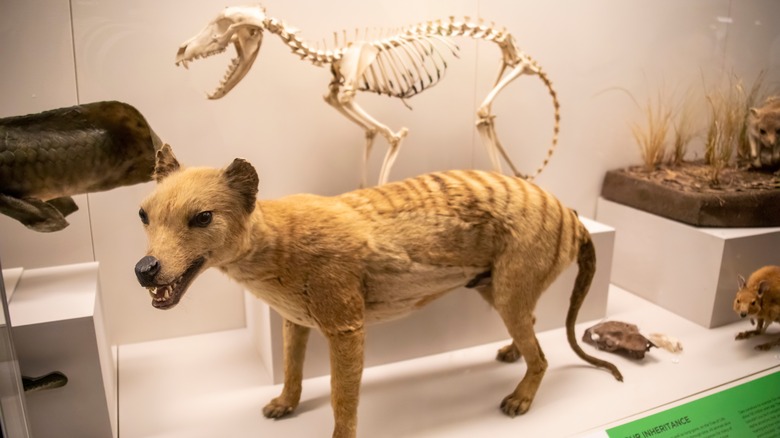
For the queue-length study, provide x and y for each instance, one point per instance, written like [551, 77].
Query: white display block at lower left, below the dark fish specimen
[58, 325]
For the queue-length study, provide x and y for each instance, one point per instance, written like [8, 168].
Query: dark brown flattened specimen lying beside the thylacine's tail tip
[616, 336]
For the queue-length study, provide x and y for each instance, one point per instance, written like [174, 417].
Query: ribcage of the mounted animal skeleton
[407, 64]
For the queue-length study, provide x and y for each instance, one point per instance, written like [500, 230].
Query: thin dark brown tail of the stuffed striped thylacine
[586, 261]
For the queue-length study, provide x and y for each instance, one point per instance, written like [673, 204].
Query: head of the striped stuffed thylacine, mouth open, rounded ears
[195, 219]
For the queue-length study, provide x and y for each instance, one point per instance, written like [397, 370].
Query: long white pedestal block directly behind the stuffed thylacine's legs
[458, 320]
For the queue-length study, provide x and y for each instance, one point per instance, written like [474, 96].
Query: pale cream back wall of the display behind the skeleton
[601, 55]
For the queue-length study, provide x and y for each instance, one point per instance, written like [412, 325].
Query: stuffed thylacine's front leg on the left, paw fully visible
[295, 338]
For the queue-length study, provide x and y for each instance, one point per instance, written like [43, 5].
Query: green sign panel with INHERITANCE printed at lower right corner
[748, 410]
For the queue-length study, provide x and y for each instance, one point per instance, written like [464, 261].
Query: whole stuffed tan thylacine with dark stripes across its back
[337, 263]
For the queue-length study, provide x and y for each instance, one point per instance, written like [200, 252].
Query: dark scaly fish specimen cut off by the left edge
[47, 157]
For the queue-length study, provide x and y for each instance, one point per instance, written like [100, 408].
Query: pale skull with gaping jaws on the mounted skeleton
[242, 26]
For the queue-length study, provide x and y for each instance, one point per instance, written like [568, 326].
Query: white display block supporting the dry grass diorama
[688, 270]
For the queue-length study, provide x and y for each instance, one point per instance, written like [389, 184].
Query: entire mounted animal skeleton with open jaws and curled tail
[400, 66]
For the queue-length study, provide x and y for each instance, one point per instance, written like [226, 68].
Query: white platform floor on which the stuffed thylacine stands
[215, 385]
